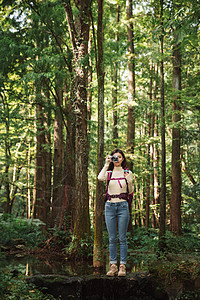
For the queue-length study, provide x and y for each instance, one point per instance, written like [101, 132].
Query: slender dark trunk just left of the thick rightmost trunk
[163, 148]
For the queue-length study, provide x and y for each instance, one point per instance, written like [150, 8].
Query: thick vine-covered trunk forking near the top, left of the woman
[79, 34]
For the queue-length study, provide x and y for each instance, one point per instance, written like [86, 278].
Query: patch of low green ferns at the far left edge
[17, 228]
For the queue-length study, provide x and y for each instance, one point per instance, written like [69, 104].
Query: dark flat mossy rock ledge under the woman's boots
[137, 286]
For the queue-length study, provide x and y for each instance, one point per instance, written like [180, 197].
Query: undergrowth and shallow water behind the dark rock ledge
[30, 253]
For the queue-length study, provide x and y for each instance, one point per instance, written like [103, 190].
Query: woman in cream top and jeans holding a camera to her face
[119, 185]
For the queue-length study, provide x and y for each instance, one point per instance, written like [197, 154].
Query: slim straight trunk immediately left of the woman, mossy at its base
[99, 204]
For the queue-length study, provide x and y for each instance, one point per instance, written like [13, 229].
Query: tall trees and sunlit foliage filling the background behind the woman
[80, 78]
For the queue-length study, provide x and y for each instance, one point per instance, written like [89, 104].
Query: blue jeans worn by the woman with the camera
[113, 212]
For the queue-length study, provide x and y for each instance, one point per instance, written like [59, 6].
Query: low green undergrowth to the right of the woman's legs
[143, 246]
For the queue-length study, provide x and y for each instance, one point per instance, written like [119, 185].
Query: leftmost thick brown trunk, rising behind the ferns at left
[42, 176]
